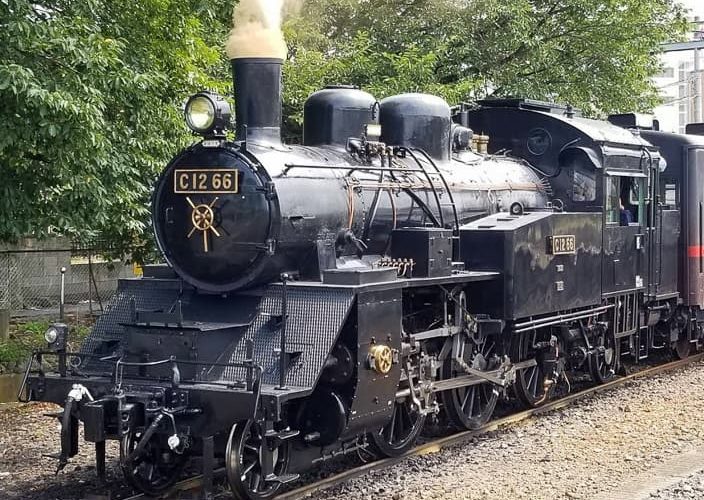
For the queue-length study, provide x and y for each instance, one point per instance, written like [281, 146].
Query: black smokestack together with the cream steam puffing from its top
[257, 49]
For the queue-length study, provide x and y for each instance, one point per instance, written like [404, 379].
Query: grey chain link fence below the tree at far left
[30, 280]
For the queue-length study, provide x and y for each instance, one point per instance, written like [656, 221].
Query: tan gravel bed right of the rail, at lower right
[587, 450]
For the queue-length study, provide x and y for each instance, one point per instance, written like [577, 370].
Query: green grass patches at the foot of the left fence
[26, 337]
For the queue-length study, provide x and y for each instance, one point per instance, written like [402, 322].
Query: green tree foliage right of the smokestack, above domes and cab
[597, 55]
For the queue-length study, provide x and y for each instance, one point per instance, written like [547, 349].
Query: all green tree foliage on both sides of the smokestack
[91, 90]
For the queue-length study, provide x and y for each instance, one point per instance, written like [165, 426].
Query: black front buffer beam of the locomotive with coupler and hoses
[114, 406]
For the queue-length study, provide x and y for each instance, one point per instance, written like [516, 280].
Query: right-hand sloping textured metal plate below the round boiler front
[315, 318]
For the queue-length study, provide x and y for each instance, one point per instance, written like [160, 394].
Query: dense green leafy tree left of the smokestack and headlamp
[90, 93]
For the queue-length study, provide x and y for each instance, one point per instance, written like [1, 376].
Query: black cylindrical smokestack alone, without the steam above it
[258, 98]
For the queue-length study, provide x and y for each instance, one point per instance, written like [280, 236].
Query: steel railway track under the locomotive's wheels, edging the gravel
[194, 483]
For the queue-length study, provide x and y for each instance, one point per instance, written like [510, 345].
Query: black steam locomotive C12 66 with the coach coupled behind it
[327, 298]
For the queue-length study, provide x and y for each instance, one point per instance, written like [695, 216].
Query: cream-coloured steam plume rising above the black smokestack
[257, 30]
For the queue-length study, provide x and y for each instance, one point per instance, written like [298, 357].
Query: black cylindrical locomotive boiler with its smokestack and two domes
[231, 216]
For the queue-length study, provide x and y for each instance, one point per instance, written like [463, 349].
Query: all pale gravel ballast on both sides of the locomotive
[582, 452]
